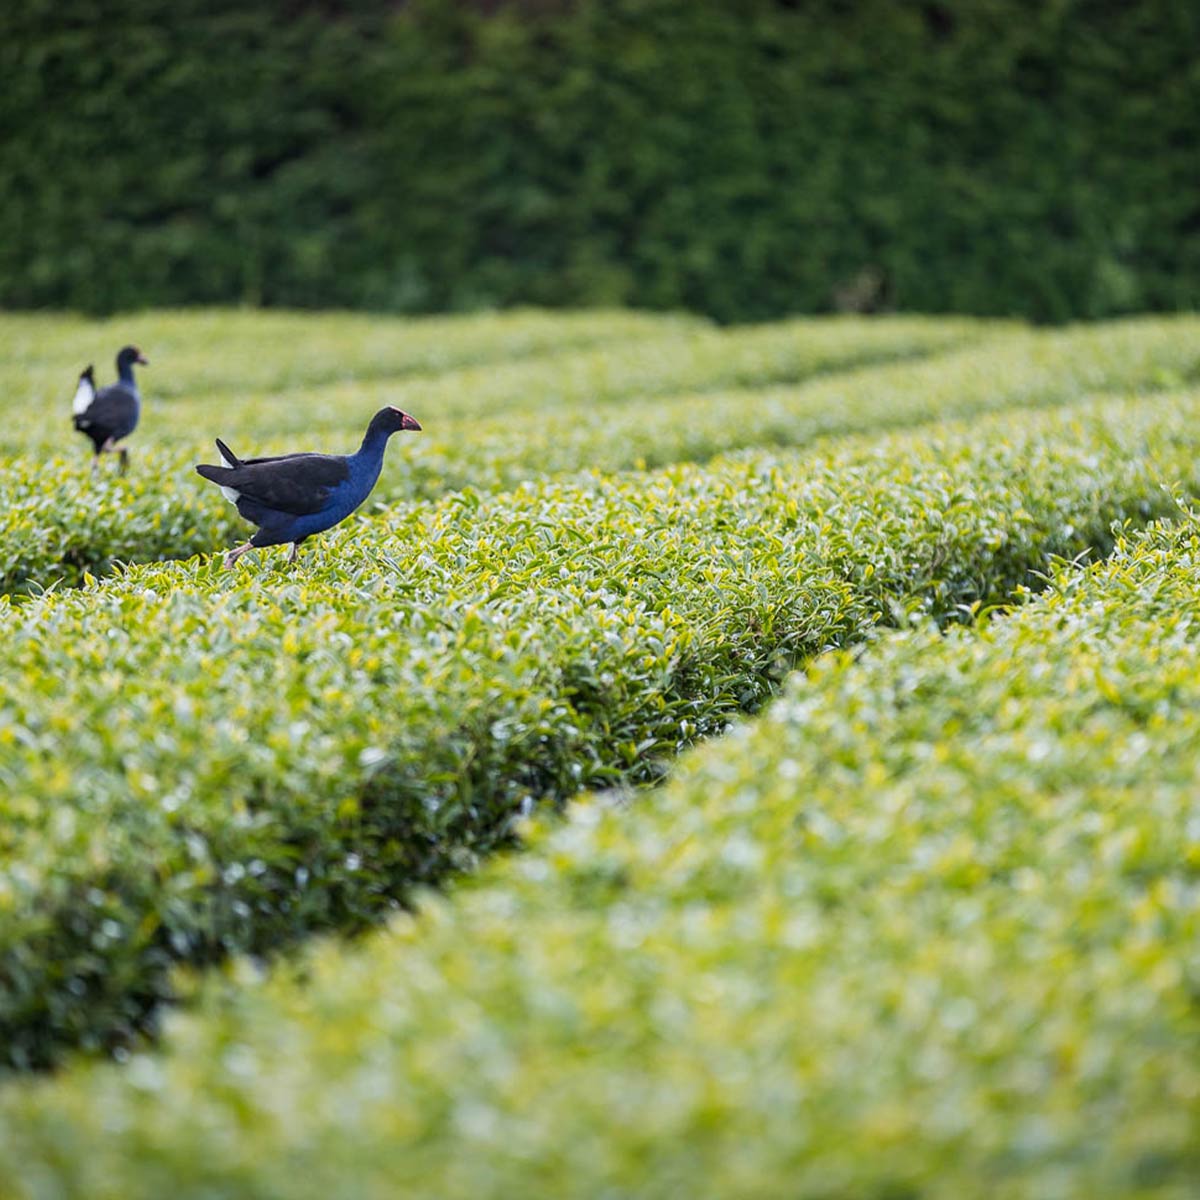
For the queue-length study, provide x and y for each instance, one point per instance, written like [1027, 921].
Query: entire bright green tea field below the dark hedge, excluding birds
[926, 927]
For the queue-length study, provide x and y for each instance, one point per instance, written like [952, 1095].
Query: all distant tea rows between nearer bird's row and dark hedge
[613, 394]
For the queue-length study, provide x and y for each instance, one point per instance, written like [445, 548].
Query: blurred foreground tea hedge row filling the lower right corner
[927, 929]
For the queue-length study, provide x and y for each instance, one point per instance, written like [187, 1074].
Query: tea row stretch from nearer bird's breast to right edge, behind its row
[1013, 370]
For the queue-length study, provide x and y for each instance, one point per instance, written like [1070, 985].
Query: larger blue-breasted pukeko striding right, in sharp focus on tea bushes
[293, 496]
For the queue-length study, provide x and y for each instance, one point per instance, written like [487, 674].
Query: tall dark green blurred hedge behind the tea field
[736, 159]
